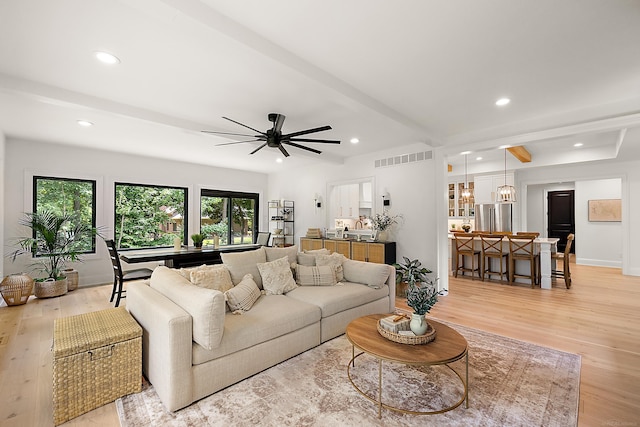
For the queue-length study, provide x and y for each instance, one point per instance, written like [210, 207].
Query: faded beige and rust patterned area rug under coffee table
[511, 383]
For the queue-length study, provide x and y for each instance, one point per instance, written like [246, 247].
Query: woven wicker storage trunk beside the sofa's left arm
[97, 358]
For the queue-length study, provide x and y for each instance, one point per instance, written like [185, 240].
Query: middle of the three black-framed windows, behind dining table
[149, 216]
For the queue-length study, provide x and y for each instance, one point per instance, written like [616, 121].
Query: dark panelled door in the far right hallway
[561, 217]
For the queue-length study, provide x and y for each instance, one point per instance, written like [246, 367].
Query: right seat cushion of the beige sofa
[335, 299]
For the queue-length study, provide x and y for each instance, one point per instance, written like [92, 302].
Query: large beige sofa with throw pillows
[195, 345]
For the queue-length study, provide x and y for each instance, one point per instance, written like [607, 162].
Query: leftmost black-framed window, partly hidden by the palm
[68, 196]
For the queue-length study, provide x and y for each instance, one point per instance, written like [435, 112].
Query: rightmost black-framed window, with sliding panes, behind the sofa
[231, 215]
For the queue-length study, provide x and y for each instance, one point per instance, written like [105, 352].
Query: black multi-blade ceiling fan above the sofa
[275, 139]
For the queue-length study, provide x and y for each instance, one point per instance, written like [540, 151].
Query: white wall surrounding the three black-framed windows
[27, 158]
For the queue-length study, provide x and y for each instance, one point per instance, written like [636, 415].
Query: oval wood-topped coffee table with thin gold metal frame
[448, 347]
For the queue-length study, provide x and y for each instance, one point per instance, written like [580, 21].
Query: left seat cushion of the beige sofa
[270, 317]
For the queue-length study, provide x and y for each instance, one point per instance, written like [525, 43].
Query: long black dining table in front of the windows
[187, 256]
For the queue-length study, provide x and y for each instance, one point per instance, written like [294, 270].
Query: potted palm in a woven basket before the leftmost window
[55, 239]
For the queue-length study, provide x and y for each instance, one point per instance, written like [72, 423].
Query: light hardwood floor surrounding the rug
[598, 318]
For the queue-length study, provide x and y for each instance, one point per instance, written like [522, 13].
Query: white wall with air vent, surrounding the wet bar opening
[412, 190]
